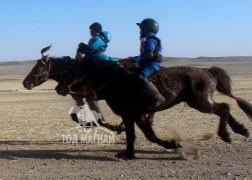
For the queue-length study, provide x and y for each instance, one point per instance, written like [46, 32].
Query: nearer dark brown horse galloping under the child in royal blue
[195, 86]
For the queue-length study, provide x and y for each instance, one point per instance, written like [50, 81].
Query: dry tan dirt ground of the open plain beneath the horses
[34, 124]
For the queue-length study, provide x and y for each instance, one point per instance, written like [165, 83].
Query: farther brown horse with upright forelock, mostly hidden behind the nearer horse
[56, 69]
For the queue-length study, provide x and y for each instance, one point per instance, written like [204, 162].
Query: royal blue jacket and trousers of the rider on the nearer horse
[147, 68]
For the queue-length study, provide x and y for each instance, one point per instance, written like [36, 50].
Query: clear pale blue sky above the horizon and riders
[188, 28]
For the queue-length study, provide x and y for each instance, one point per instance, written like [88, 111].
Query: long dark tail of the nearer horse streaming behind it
[224, 86]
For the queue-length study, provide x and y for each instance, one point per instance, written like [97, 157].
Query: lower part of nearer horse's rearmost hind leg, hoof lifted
[237, 127]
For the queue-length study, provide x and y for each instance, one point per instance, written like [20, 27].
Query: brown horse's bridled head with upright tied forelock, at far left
[46, 68]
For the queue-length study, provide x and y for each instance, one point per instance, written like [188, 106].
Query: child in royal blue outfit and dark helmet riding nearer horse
[149, 60]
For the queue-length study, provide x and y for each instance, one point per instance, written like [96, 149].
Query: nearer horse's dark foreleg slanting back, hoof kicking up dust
[151, 136]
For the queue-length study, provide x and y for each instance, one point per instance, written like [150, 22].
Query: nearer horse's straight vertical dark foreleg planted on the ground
[130, 137]
